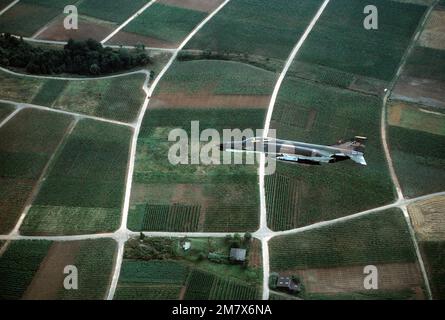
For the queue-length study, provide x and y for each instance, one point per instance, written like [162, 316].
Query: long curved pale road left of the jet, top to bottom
[129, 179]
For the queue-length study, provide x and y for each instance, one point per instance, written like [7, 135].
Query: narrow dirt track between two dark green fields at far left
[36, 189]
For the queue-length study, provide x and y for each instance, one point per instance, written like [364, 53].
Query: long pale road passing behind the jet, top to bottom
[263, 207]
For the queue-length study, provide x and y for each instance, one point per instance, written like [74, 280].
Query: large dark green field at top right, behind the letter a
[345, 44]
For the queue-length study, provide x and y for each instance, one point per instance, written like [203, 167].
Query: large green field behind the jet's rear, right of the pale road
[302, 195]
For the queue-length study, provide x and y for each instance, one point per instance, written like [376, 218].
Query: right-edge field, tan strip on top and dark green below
[417, 147]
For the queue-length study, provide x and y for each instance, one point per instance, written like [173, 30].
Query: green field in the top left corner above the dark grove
[29, 16]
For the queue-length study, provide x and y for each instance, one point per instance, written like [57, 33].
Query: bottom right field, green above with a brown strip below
[330, 260]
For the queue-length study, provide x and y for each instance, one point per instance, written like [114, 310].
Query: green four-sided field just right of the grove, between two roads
[160, 25]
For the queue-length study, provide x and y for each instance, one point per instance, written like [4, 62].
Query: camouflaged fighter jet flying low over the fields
[300, 152]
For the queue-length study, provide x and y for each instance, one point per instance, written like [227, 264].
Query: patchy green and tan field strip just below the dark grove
[117, 98]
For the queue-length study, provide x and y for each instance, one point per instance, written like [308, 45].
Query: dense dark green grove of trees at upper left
[77, 57]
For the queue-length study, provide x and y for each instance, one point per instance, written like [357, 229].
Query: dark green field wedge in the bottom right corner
[434, 256]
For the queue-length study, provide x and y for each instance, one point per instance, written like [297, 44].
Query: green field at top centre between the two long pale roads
[256, 27]
